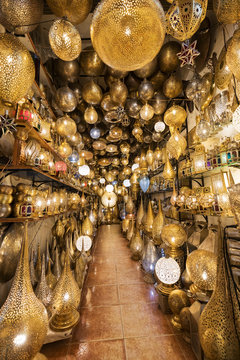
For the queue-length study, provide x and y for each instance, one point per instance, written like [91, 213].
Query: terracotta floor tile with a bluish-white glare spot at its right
[137, 293]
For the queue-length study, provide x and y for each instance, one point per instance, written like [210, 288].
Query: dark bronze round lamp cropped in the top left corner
[16, 14]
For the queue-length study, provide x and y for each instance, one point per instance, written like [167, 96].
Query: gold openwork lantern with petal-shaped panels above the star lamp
[184, 18]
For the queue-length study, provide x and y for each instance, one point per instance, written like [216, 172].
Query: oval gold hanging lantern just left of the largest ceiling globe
[65, 40]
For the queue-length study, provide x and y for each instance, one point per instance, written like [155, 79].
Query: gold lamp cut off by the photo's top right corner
[227, 11]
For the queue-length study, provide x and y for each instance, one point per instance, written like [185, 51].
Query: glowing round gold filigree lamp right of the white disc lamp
[202, 268]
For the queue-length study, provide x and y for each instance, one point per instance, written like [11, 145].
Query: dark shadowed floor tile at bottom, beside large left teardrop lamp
[57, 350]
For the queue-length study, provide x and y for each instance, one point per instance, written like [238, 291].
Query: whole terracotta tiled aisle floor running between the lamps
[120, 318]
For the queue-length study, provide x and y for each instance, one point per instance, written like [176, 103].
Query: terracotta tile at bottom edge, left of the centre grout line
[98, 350]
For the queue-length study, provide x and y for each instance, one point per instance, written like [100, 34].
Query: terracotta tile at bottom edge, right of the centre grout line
[153, 348]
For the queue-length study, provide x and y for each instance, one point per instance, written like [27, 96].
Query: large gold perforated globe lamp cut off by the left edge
[17, 70]
